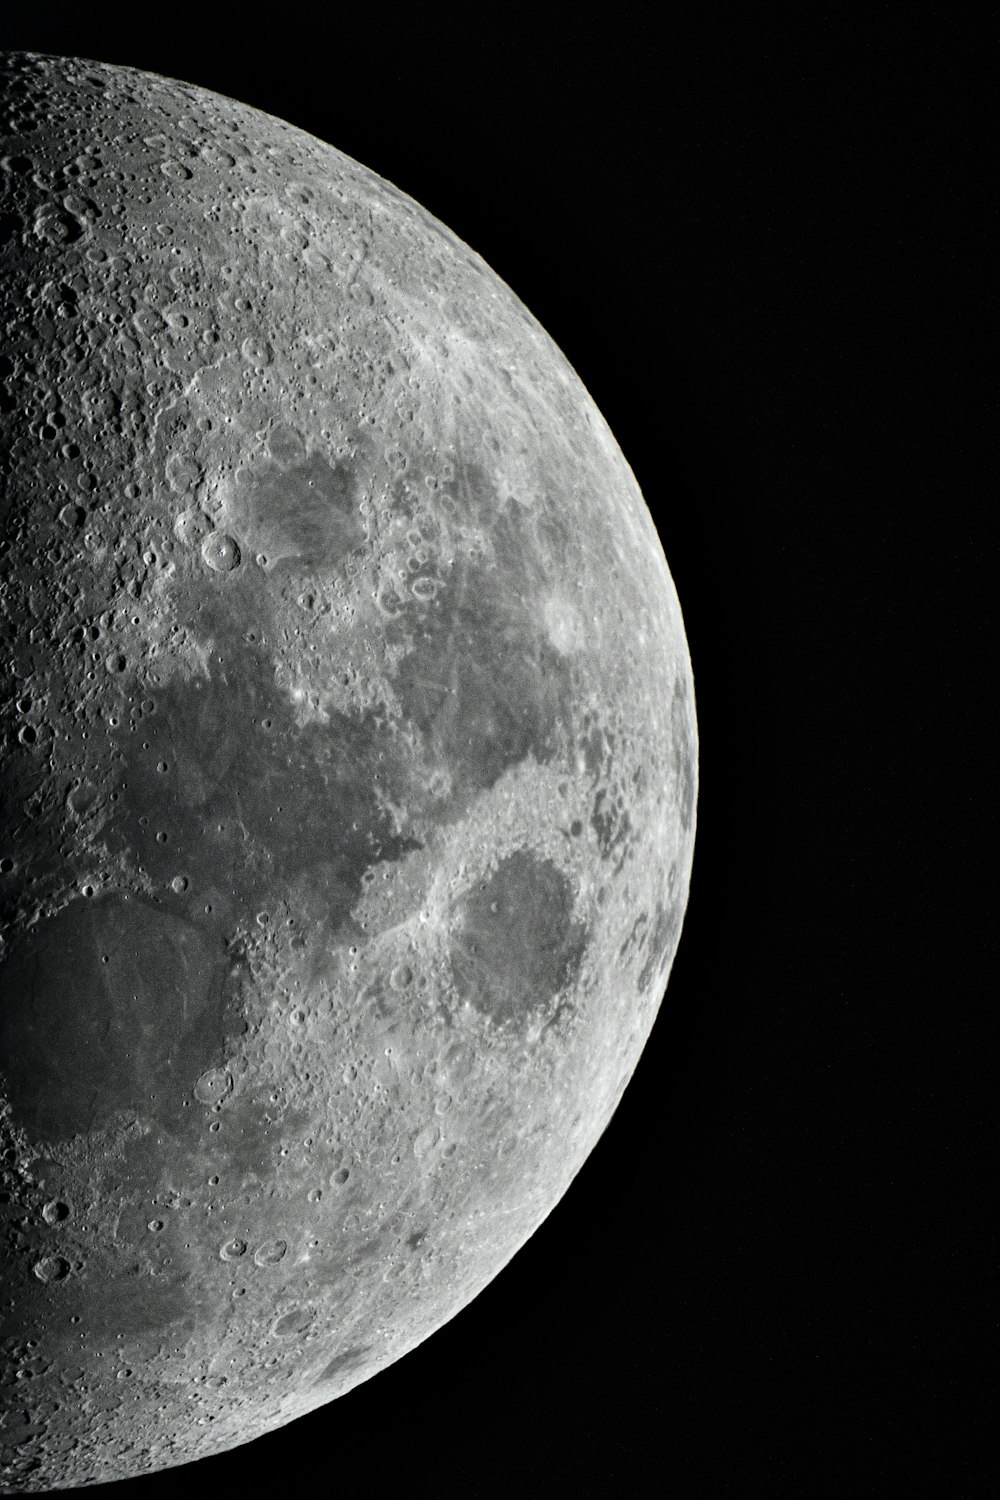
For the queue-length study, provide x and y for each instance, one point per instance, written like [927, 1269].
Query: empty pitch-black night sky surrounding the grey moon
[744, 236]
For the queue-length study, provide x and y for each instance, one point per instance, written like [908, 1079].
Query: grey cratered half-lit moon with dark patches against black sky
[349, 773]
